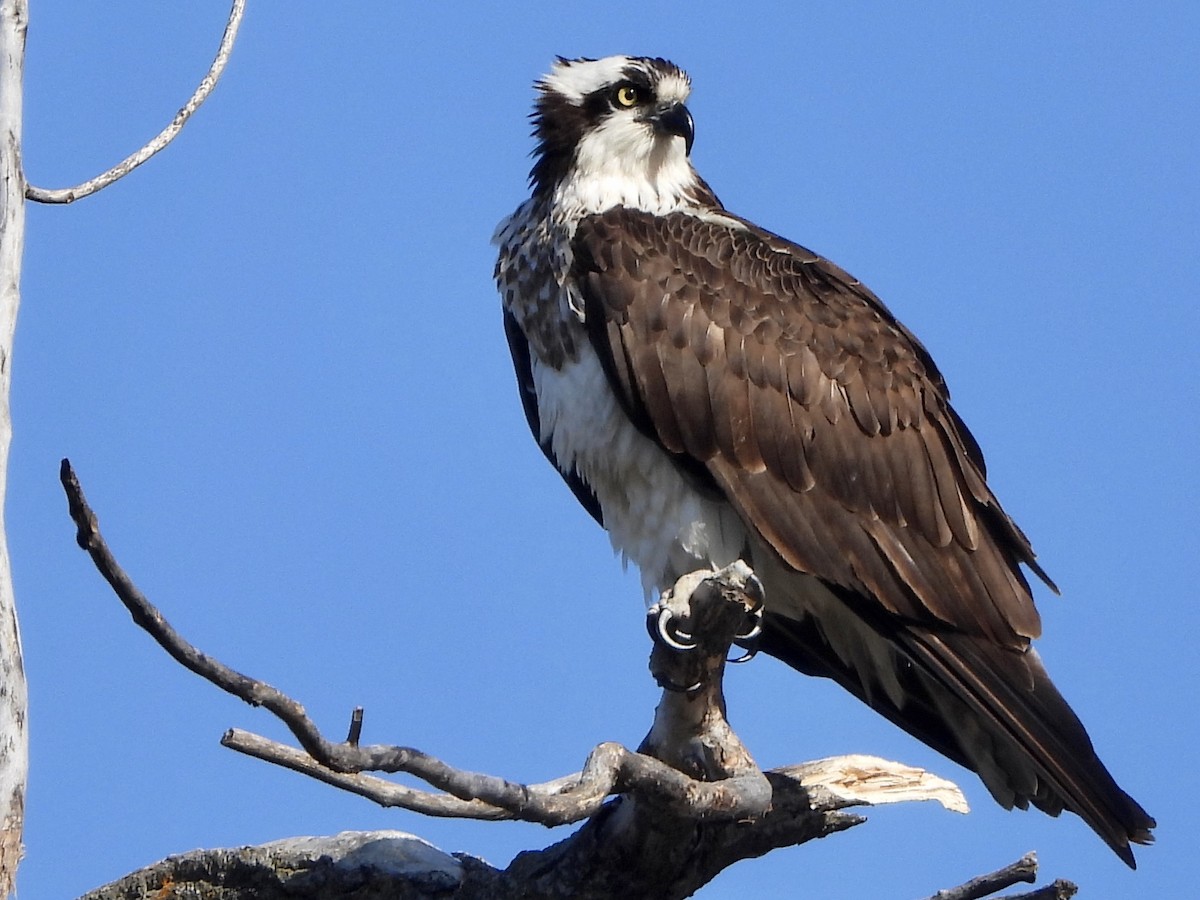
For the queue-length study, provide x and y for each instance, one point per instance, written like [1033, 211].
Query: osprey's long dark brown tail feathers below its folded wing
[989, 709]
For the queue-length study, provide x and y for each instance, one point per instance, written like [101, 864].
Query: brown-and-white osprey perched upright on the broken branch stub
[715, 393]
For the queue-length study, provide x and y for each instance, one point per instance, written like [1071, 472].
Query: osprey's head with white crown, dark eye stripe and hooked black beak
[620, 118]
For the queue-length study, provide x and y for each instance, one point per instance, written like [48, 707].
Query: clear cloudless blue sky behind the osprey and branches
[275, 358]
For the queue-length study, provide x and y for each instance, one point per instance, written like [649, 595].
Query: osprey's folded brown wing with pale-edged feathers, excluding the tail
[820, 417]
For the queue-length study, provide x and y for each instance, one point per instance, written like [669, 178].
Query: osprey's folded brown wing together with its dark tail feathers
[829, 428]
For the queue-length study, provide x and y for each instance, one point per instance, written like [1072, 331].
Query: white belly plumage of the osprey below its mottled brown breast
[653, 515]
